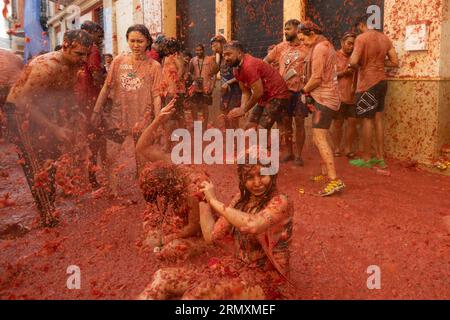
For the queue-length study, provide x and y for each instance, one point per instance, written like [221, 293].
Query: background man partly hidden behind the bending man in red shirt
[231, 93]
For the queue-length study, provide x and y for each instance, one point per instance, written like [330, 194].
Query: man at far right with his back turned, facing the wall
[371, 49]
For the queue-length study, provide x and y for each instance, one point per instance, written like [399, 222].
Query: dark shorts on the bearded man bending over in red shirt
[267, 115]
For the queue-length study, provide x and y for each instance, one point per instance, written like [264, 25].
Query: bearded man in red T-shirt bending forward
[263, 88]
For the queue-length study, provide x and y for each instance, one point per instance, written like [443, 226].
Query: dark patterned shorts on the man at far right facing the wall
[370, 102]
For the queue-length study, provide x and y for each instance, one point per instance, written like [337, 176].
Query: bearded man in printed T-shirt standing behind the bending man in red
[290, 56]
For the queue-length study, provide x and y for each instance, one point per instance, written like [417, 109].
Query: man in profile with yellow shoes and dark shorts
[322, 86]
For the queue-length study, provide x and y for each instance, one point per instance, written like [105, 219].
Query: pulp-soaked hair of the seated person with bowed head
[165, 182]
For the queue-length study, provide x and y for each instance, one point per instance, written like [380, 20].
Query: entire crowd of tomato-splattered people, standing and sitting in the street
[76, 101]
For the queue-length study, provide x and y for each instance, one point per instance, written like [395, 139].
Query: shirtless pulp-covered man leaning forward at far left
[40, 111]
